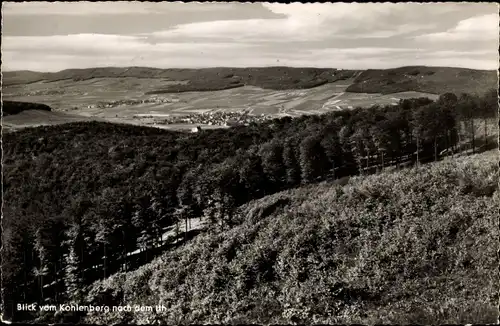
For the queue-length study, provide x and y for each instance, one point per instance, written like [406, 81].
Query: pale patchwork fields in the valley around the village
[125, 100]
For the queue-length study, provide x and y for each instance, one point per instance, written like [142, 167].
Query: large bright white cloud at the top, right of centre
[312, 22]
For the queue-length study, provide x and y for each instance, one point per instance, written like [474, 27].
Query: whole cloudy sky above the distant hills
[45, 36]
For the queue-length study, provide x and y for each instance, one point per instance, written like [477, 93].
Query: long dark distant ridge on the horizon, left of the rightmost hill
[206, 79]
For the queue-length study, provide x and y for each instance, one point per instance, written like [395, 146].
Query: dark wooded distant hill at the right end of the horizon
[436, 80]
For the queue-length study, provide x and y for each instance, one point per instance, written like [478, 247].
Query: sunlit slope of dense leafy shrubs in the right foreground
[328, 253]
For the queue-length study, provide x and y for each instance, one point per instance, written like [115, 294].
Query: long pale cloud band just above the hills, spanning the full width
[80, 51]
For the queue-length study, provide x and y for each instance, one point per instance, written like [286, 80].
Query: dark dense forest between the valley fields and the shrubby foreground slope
[79, 197]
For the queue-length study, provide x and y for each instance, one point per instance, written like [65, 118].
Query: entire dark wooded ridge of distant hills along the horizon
[435, 80]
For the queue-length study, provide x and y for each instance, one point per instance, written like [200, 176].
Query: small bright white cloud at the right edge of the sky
[483, 27]
